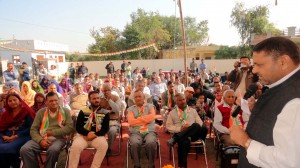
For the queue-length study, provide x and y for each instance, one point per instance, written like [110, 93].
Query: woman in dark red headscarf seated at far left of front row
[15, 126]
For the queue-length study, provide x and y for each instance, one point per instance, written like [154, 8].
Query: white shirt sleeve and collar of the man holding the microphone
[286, 150]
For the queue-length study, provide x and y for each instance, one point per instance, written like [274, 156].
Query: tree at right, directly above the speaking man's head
[254, 20]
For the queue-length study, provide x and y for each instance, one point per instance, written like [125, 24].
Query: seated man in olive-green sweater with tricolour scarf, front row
[50, 127]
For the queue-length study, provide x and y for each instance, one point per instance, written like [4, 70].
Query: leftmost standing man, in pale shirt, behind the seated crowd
[11, 76]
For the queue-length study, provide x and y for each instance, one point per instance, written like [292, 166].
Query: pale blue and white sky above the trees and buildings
[69, 21]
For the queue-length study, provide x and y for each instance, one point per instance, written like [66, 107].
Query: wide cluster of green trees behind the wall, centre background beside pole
[146, 28]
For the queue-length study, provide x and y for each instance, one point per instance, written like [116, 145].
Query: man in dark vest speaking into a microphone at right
[271, 138]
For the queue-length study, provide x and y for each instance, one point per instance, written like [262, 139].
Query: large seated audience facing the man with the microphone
[46, 113]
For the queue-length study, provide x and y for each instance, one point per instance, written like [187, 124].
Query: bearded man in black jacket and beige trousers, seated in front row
[92, 125]
